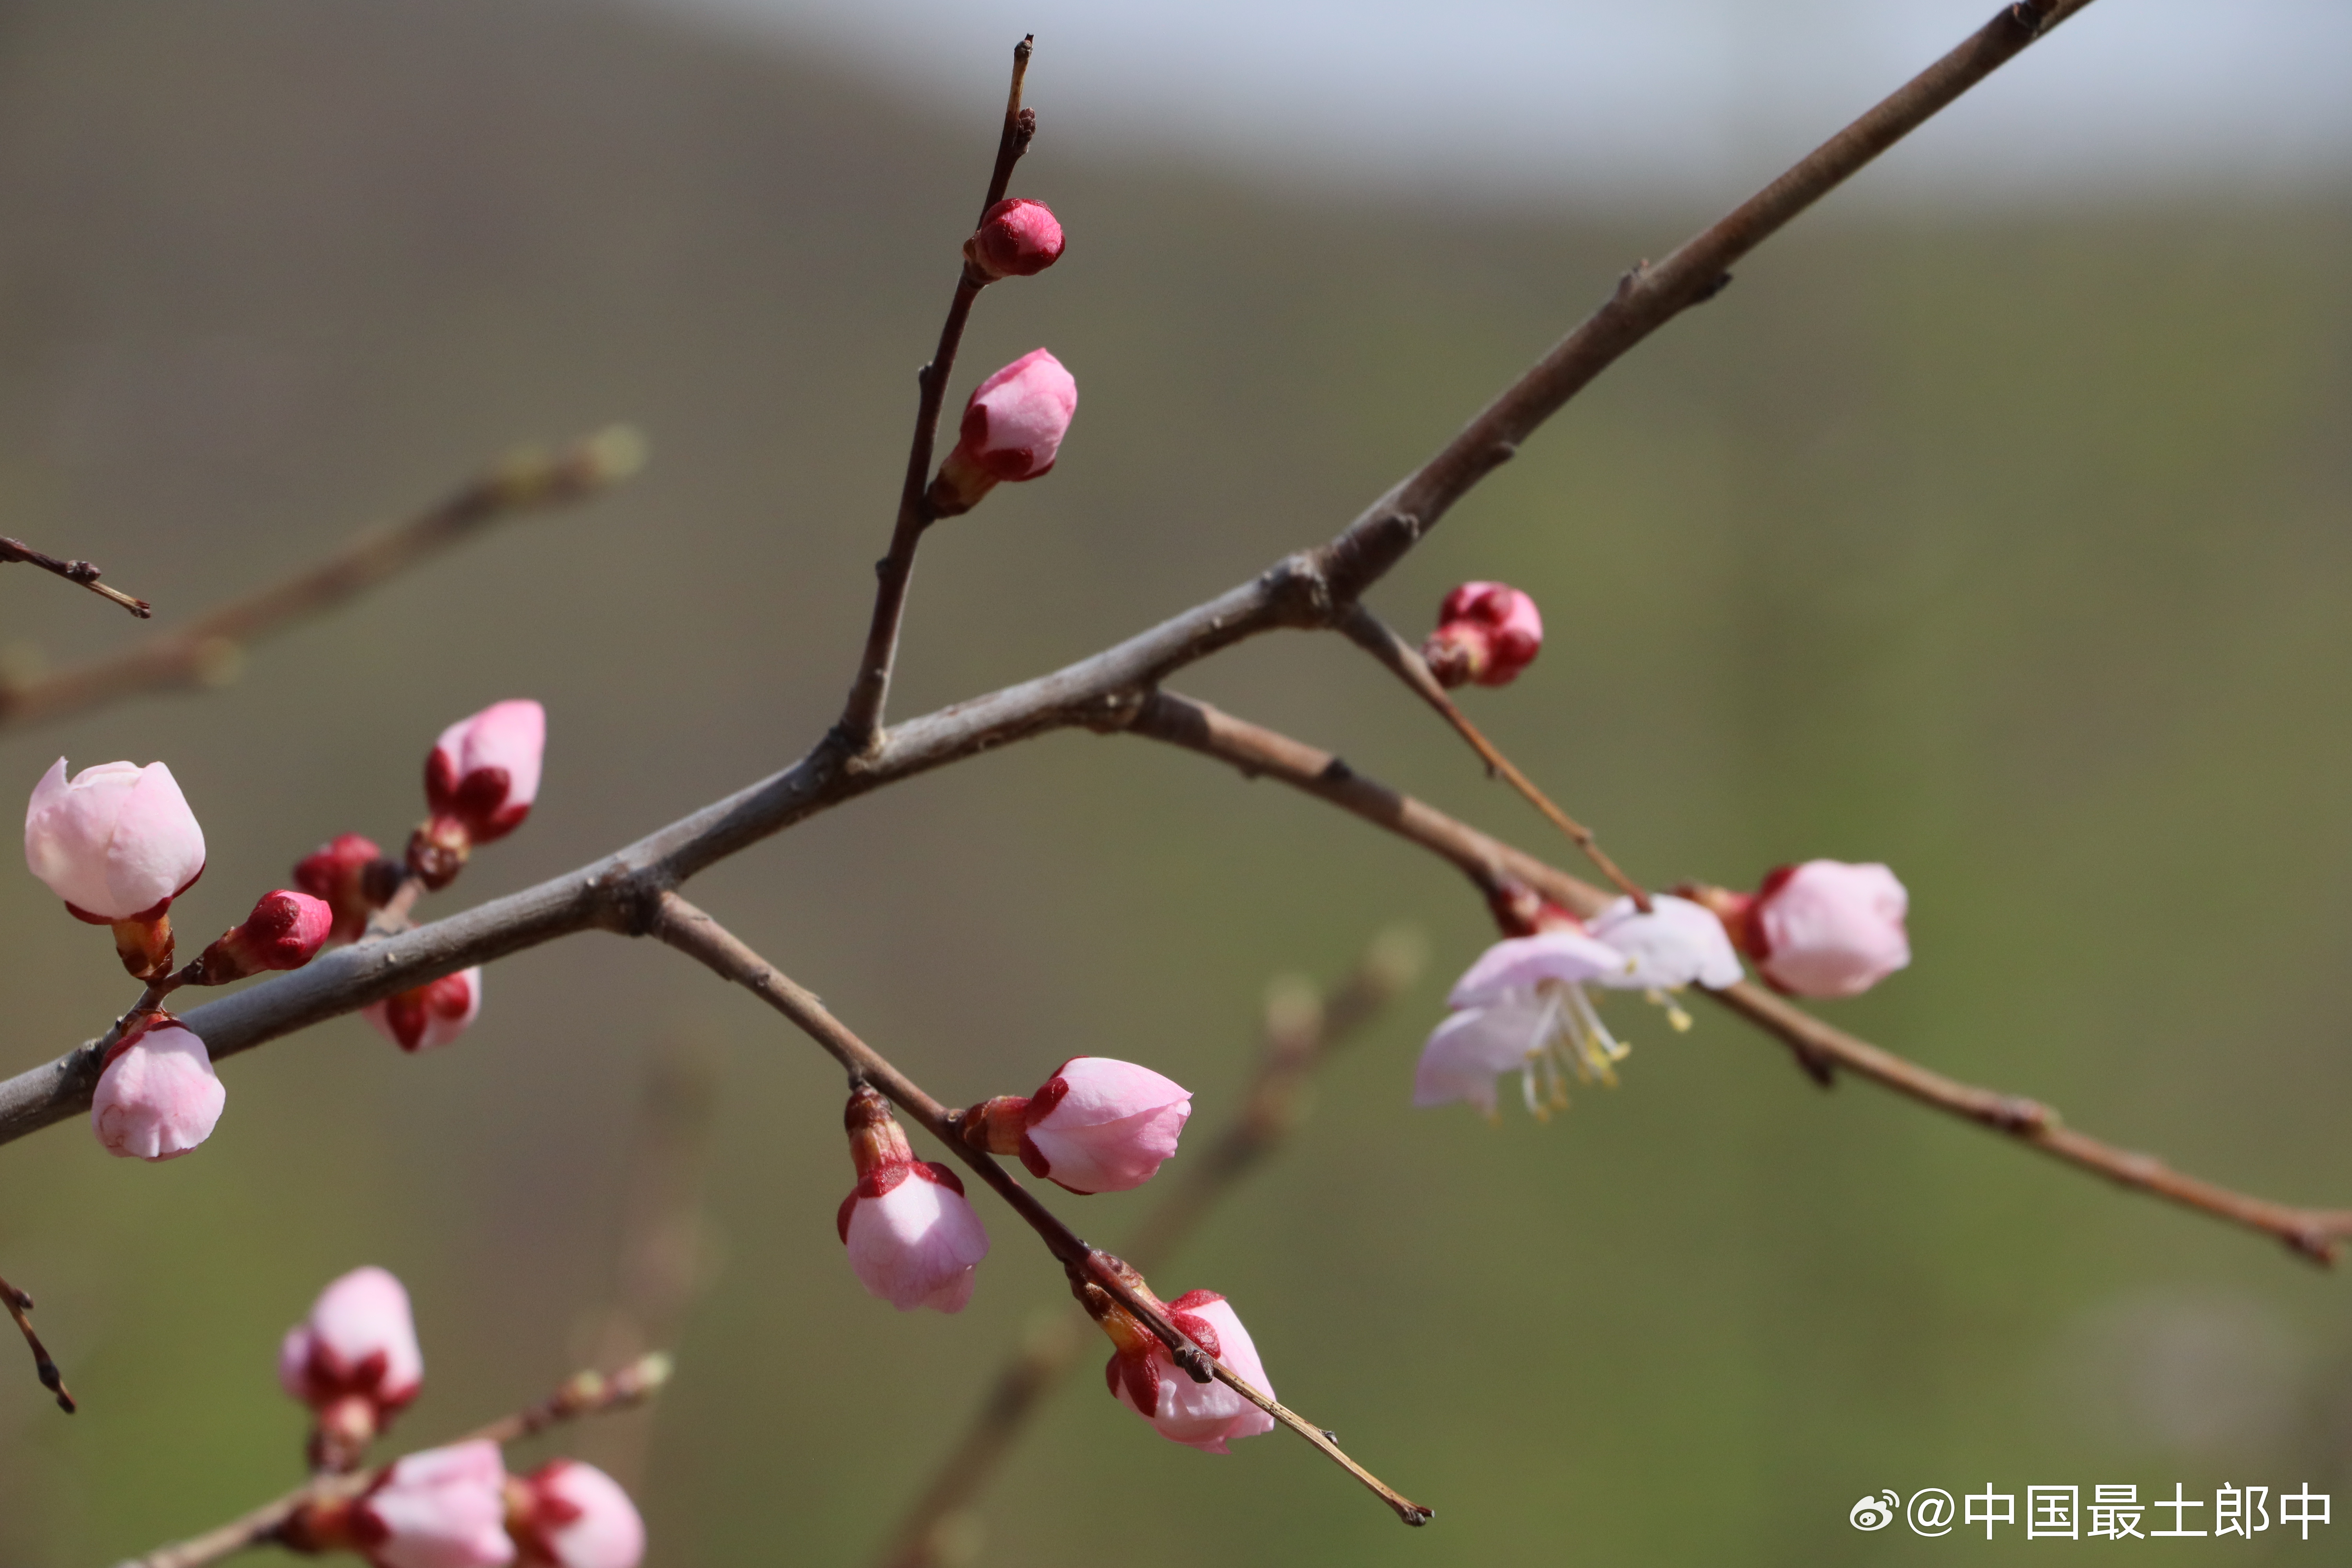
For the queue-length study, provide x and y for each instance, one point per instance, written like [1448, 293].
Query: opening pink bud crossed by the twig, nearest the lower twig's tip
[1144, 1376]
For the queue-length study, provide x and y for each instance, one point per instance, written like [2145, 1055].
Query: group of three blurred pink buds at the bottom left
[354, 1360]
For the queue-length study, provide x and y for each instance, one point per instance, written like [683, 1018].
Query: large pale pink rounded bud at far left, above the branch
[116, 843]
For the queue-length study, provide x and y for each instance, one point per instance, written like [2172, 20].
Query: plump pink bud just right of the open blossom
[1824, 930]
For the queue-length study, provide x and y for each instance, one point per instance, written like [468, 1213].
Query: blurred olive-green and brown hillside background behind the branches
[2005, 549]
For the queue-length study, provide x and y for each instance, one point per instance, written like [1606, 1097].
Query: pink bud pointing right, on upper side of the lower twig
[1095, 1127]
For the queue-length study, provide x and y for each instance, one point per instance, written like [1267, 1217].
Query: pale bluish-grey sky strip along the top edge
[1598, 98]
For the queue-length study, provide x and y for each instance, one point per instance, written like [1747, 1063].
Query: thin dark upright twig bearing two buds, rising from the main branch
[862, 716]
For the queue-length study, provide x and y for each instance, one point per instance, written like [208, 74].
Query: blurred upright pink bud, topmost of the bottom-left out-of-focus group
[354, 1362]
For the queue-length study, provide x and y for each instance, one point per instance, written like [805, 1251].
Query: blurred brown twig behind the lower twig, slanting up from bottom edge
[1302, 1031]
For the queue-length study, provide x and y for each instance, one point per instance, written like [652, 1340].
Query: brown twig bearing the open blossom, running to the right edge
[1497, 866]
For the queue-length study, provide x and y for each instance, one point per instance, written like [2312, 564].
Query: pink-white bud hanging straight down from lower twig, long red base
[909, 1228]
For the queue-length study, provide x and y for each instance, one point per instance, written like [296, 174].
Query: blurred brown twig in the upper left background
[213, 648]
